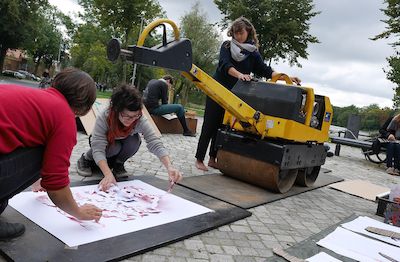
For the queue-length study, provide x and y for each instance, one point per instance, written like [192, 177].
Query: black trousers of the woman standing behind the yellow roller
[213, 116]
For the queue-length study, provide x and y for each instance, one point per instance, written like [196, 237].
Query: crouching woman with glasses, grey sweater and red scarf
[115, 138]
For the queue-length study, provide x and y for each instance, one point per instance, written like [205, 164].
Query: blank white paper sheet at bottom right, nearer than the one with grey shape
[358, 247]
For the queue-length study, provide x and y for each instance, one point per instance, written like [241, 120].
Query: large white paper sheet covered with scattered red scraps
[134, 207]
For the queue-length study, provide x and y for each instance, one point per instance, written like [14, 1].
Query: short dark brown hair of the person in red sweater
[77, 87]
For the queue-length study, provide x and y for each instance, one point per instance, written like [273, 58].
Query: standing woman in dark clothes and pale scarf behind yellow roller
[238, 58]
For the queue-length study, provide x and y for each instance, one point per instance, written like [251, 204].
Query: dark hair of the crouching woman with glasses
[126, 96]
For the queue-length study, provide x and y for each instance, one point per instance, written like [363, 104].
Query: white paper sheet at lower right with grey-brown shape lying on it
[359, 224]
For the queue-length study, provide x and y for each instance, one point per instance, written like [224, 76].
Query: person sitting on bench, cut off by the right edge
[393, 147]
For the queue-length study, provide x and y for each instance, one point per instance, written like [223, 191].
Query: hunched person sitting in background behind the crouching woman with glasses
[158, 89]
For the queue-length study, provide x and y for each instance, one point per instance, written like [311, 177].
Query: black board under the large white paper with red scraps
[38, 245]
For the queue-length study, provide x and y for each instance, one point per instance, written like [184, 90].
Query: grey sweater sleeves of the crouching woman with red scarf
[99, 137]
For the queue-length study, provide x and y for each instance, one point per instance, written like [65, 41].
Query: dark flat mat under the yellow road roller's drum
[244, 195]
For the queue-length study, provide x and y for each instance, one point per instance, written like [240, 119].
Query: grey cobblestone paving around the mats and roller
[282, 223]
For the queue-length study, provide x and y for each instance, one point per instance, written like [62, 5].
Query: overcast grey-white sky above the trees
[346, 65]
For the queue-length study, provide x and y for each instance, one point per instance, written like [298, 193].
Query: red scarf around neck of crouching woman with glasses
[116, 128]
